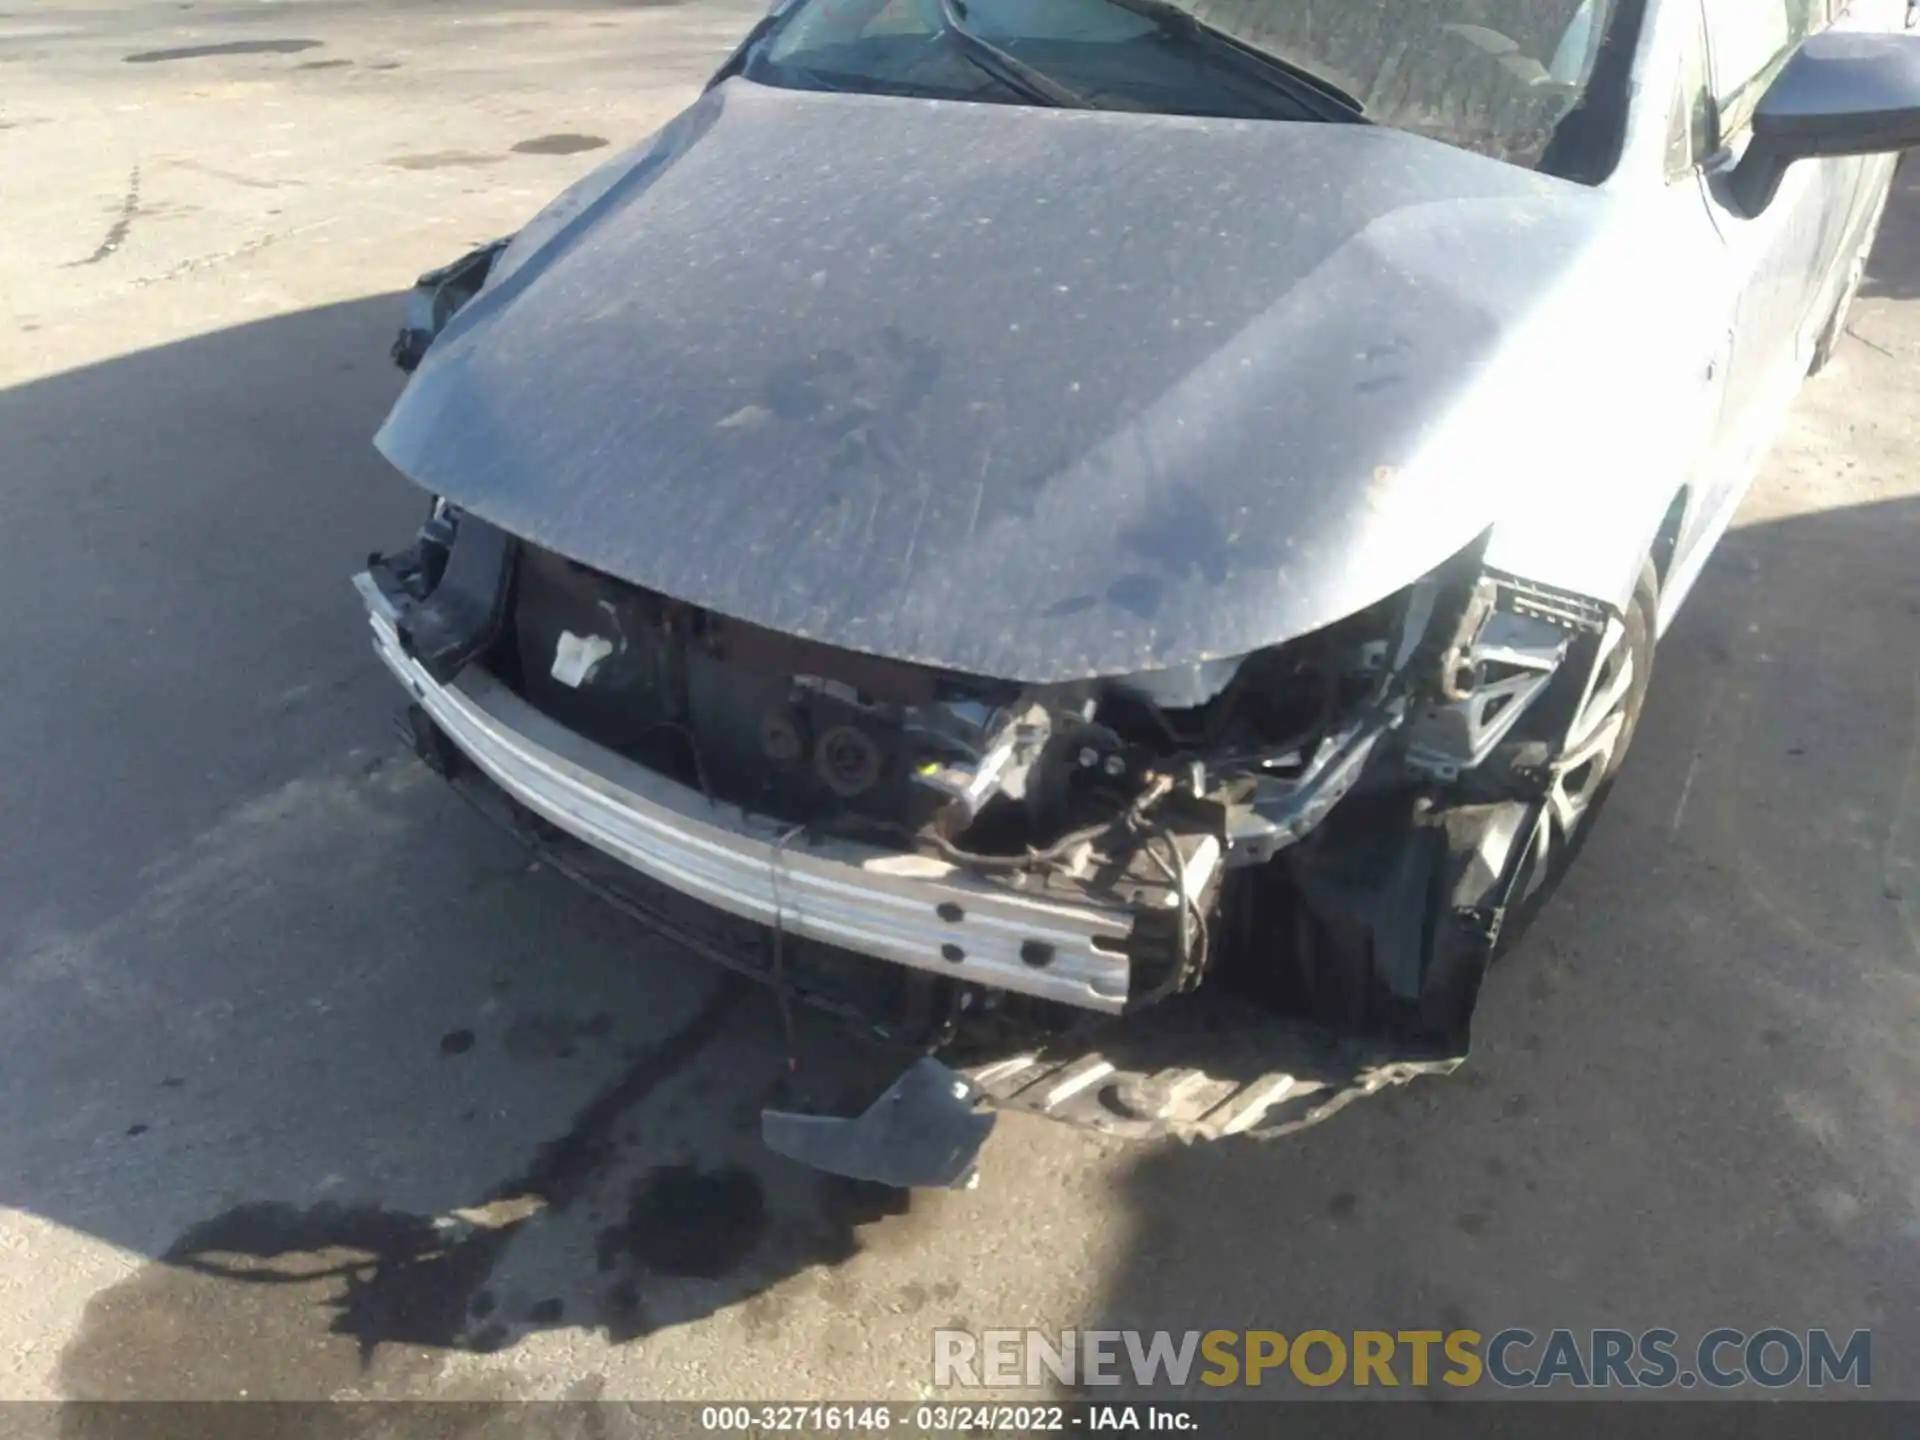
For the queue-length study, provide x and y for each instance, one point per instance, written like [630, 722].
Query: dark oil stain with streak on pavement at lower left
[281, 1301]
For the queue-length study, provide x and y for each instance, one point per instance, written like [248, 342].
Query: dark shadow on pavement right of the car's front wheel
[1691, 1093]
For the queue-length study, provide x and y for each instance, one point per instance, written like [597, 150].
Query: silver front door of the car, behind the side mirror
[1781, 264]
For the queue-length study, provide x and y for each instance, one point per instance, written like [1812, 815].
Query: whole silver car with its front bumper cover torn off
[1120, 544]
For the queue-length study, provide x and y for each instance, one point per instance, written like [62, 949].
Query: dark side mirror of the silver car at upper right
[1844, 93]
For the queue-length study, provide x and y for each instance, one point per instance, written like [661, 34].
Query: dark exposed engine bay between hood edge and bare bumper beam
[1197, 802]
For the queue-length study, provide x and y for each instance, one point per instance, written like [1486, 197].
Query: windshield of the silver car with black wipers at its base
[1537, 84]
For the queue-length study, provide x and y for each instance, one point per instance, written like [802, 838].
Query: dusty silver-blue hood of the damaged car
[1020, 393]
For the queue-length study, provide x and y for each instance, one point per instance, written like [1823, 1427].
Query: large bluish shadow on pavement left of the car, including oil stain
[289, 1017]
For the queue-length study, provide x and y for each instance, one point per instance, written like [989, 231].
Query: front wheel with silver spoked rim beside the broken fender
[1606, 711]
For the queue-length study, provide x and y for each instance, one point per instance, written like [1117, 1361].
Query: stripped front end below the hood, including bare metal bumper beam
[1310, 852]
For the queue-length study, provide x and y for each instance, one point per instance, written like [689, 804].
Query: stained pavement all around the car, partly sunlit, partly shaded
[314, 1088]
